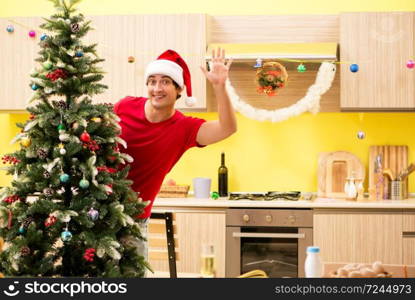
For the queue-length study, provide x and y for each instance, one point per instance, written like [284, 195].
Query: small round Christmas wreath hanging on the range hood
[271, 77]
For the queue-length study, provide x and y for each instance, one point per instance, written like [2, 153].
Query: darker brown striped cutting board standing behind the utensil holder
[394, 158]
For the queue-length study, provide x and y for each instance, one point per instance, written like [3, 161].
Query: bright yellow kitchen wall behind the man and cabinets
[260, 156]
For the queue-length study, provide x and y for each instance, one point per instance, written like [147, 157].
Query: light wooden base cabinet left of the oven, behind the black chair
[194, 229]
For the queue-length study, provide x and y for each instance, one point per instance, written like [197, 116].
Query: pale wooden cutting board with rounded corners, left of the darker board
[333, 169]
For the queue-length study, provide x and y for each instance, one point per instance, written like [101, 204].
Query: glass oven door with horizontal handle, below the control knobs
[278, 251]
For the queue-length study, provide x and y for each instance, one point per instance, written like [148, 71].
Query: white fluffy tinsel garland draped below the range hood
[310, 102]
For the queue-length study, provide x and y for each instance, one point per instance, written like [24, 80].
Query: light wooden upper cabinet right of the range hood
[380, 44]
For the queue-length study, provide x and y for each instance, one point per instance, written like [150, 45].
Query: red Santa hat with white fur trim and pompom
[171, 64]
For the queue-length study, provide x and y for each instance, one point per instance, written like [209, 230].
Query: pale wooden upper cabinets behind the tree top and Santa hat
[144, 37]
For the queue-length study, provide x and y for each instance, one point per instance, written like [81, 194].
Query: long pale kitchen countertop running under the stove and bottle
[222, 203]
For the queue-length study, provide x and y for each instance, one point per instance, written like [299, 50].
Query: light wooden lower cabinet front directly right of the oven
[358, 236]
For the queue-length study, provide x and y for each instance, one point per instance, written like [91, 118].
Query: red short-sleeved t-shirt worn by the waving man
[155, 147]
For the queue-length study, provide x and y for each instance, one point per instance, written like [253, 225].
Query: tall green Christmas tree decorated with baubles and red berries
[70, 210]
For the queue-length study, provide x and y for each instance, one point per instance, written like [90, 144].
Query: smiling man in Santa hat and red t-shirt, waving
[157, 135]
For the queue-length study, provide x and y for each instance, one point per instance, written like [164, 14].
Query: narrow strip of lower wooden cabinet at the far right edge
[408, 237]
